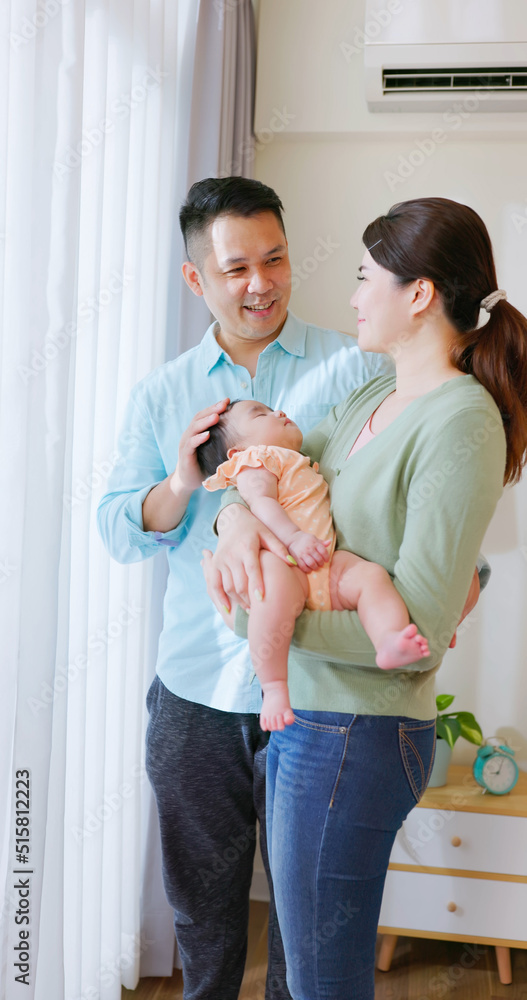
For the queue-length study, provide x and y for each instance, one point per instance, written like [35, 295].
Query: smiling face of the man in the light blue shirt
[246, 276]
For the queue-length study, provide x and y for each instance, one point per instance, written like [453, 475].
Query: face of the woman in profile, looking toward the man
[384, 308]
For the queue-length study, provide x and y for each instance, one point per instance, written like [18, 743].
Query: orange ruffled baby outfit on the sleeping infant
[302, 492]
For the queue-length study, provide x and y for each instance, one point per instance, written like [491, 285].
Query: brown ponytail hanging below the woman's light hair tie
[496, 354]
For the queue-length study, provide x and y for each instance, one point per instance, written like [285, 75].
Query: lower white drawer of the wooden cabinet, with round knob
[484, 907]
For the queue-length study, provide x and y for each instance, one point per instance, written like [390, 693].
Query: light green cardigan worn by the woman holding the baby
[417, 499]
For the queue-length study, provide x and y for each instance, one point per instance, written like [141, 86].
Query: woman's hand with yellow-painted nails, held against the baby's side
[233, 574]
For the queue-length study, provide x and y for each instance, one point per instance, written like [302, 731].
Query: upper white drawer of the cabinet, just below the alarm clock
[489, 843]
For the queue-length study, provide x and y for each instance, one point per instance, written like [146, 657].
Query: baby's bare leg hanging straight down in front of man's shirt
[271, 625]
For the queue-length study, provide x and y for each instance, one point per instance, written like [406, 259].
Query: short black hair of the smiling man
[214, 196]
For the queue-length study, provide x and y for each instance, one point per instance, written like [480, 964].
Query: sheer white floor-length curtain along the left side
[92, 112]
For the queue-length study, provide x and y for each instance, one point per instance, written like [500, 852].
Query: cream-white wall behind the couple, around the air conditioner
[336, 166]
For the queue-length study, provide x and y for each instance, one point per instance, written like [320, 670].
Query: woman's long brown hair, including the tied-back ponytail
[448, 243]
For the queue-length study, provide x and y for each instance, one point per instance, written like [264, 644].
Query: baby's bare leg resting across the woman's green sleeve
[356, 584]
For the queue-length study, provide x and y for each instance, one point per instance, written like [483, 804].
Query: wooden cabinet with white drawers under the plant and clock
[458, 870]
